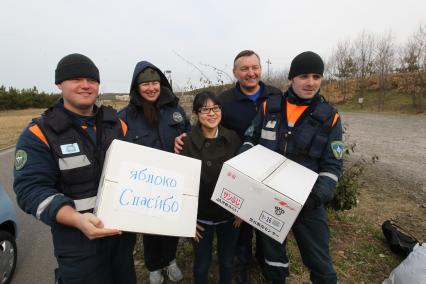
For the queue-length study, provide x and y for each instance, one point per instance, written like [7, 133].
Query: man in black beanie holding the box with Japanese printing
[304, 127]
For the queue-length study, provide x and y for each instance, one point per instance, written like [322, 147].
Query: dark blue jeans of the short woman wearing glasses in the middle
[227, 236]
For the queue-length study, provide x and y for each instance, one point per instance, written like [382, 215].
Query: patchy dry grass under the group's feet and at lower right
[360, 253]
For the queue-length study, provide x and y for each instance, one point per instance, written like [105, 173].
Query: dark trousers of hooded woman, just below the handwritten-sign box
[159, 251]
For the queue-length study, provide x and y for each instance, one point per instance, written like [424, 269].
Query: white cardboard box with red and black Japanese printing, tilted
[265, 189]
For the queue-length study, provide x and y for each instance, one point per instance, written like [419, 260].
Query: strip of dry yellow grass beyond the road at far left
[12, 122]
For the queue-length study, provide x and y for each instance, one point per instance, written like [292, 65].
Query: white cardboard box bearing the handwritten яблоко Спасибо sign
[148, 191]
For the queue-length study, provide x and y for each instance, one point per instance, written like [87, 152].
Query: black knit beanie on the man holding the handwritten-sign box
[76, 66]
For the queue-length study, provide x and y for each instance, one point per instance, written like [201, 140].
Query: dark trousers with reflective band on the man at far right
[312, 236]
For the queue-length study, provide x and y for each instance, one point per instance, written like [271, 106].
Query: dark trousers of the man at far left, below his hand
[106, 260]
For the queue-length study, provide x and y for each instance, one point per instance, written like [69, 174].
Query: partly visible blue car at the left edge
[8, 234]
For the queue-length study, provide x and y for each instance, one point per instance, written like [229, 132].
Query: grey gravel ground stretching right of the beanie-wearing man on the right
[398, 140]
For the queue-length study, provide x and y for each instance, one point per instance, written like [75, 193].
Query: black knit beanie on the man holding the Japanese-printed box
[305, 63]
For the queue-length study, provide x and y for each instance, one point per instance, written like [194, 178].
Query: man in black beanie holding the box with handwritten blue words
[59, 160]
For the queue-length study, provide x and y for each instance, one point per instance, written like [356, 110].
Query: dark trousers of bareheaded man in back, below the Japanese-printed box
[243, 250]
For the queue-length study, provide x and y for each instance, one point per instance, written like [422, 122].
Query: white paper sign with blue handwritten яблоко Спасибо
[149, 191]
